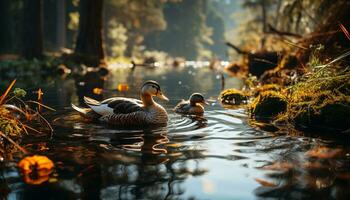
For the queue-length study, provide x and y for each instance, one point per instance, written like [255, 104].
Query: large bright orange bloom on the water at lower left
[36, 169]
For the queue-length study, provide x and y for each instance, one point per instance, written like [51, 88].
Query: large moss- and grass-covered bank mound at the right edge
[321, 100]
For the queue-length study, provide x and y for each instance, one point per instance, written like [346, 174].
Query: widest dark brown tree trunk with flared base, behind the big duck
[89, 47]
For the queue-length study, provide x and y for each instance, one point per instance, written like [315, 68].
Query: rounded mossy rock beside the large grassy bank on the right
[268, 105]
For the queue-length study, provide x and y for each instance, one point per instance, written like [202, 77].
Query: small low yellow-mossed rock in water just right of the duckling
[233, 97]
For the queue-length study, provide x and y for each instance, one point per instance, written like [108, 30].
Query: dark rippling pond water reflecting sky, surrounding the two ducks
[217, 156]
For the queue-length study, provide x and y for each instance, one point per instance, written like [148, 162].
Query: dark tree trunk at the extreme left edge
[5, 24]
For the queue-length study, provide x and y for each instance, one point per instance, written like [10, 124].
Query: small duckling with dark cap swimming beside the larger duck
[193, 106]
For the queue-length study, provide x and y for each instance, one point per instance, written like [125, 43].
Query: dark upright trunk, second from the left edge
[33, 29]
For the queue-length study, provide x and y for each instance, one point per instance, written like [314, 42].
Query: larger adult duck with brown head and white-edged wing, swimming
[121, 111]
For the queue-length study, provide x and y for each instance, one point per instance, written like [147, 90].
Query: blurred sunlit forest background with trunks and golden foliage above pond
[93, 30]
